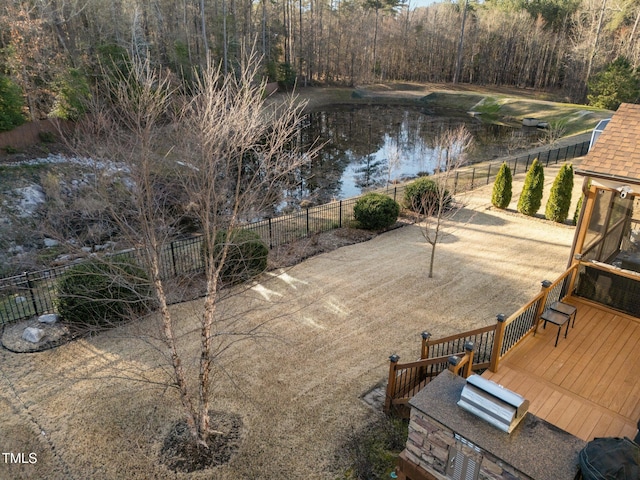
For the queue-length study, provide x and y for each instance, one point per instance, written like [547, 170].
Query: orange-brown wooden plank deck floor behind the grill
[589, 385]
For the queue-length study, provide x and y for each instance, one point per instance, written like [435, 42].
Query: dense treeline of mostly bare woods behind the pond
[50, 49]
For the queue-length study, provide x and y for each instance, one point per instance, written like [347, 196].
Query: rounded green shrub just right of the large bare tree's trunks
[246, 257]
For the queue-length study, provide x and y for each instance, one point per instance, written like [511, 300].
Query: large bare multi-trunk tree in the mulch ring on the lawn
[222, 155]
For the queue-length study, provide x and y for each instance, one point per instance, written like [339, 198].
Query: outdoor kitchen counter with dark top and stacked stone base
[447, 442]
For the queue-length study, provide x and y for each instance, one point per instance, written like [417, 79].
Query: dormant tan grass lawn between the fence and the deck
[334, 320]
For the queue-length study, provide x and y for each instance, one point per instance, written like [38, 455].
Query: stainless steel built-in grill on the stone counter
[493, 403]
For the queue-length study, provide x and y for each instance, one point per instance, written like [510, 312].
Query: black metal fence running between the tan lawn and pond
[33, 293]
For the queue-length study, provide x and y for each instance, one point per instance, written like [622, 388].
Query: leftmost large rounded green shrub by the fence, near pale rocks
[99, 294]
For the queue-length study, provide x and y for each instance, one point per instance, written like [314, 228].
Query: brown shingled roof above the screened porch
[616, 154]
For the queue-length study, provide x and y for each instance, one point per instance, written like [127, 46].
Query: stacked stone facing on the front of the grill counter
[429, 443]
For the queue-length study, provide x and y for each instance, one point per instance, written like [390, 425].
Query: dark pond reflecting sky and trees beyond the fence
[366, 147]
